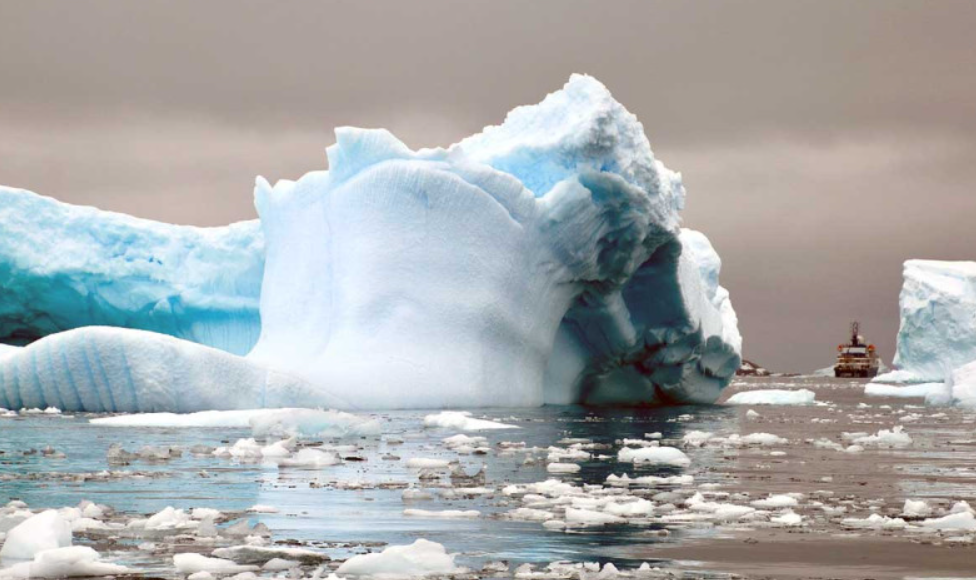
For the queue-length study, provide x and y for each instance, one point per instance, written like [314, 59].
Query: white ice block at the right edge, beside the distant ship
[938, 318]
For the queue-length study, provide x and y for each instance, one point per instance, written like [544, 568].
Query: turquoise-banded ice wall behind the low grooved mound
[65, 266]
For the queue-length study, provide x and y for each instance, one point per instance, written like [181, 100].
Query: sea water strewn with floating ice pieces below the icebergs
[490, 496]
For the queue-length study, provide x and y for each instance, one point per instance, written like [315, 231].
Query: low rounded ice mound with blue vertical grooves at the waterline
[124, 370]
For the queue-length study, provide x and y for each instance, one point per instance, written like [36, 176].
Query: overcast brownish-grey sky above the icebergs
[821, 143]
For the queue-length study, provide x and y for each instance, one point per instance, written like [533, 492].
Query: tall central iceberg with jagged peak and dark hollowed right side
[441, 277]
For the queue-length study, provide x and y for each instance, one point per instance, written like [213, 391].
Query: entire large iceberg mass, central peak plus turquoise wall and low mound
[539, 261]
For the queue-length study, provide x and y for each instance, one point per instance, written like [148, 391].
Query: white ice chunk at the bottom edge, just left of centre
[417, 559]
